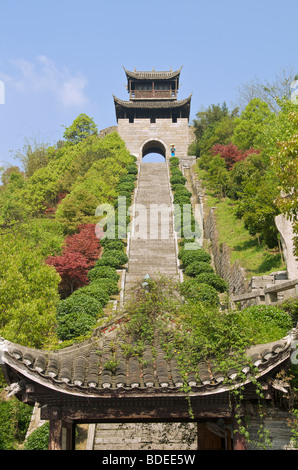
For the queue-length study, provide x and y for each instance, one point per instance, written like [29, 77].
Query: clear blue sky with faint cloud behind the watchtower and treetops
[62, 58]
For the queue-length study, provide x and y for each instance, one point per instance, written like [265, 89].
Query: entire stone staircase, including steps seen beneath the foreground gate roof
[151, 250]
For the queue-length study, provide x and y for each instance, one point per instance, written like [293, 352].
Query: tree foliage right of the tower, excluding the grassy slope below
[253, 164]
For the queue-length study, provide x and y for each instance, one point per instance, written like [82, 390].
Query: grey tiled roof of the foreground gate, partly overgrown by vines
[99, 364]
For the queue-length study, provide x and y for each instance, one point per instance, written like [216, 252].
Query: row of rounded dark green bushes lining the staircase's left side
[77, 315]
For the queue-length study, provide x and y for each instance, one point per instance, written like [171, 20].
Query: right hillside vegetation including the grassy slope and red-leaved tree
[248, 163]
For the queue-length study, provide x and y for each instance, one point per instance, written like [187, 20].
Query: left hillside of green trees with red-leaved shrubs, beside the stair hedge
[47, 216]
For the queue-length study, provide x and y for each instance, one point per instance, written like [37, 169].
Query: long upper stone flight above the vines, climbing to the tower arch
[152, 246]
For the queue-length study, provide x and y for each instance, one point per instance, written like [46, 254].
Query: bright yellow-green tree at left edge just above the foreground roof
[28, 294]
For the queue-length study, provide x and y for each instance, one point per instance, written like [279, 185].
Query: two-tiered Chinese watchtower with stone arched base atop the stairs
[153, 120]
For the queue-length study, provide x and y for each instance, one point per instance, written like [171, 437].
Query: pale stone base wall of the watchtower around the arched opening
[164, 131]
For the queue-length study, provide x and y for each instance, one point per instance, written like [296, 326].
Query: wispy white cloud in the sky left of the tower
[43, 76]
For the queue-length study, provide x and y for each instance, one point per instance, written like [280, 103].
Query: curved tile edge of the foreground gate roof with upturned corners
[55, 385]
